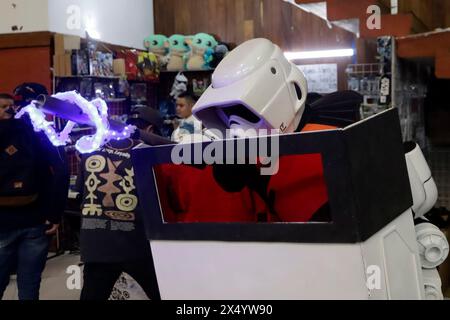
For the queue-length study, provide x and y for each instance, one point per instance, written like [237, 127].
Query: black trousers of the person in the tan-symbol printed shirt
[100, 278]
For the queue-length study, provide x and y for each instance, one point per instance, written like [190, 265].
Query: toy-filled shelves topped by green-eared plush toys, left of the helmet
[126, 78]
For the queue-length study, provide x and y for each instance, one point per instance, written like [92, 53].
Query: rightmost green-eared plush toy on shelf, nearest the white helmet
[202, 50]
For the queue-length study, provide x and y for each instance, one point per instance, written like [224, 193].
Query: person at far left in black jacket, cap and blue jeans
[33, 188]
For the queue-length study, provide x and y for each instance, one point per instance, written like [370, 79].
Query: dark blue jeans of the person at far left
[26, 250]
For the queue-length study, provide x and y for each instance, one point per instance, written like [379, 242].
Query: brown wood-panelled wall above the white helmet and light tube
[235, 21]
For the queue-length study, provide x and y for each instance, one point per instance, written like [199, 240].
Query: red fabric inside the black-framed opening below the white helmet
[188, 194]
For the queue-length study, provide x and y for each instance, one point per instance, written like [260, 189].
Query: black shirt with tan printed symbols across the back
[111, 229]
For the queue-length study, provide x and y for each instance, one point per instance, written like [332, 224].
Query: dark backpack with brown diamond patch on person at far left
[18, 165]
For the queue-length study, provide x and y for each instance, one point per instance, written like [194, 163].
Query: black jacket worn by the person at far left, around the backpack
[51, 172]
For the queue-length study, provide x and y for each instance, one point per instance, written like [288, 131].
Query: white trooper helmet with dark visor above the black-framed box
[254, 87]
